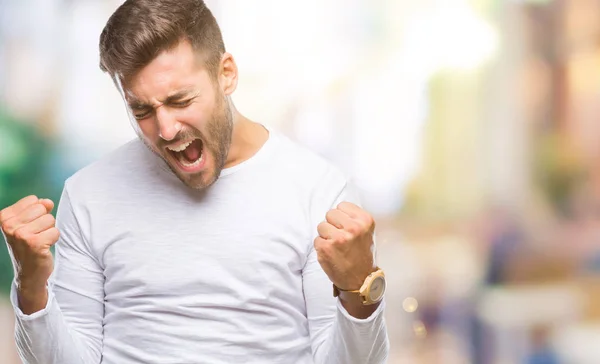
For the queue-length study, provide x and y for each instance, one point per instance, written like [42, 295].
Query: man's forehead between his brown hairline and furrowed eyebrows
[171, 71]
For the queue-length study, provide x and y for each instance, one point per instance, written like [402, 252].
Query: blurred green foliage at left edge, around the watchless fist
[25, 169]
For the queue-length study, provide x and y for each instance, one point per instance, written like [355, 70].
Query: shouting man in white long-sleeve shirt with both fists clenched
[215, 240]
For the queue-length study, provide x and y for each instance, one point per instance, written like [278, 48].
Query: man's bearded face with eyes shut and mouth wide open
[183, 114]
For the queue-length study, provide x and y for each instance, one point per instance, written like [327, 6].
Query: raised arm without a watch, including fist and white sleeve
[58, 304]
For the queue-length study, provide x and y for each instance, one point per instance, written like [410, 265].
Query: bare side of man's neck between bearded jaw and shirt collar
[247, 139]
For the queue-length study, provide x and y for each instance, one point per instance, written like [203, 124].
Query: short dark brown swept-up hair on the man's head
[141, 29]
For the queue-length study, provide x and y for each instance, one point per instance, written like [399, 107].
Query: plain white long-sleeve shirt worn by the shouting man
[150, 271]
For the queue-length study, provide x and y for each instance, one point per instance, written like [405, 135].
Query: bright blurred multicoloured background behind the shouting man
[470, 128]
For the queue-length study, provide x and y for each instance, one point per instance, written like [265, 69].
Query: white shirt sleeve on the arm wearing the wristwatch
[336, 336]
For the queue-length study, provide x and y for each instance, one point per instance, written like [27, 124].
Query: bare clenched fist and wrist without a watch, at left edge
[30, 232]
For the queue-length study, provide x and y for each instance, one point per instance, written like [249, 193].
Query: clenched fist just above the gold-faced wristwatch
[345, 245]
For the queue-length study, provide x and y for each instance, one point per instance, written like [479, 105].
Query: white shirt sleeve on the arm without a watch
[69, 329]
